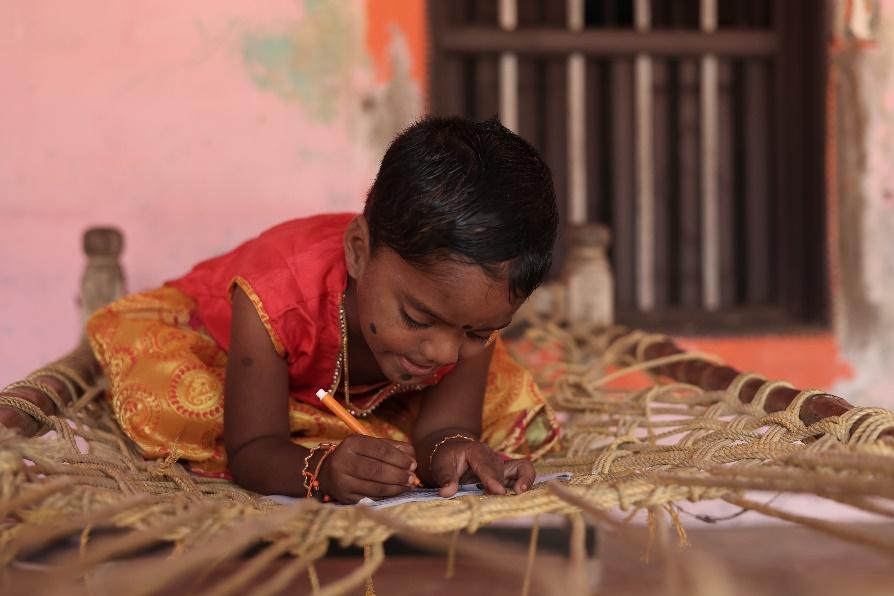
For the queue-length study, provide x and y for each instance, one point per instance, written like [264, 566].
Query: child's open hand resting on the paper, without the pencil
[458, 460]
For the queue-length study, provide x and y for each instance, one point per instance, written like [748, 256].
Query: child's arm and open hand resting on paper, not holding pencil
[453, 407]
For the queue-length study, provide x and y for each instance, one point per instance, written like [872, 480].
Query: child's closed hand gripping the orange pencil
[367, 467]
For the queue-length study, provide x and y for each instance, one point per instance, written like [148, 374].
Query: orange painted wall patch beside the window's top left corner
[407, 15]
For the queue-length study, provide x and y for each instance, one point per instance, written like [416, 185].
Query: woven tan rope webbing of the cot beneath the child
[696, 431]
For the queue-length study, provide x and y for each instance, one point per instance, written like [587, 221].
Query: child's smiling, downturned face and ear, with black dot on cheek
[417, 320]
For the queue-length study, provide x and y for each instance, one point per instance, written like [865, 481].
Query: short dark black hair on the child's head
[474, 192]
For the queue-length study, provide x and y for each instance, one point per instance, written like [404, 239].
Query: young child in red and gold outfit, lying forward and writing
[396, 312]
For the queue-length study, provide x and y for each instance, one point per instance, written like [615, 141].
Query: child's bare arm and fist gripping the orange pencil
[257, 437]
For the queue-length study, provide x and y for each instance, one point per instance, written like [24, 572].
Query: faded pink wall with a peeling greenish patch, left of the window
[190, 125]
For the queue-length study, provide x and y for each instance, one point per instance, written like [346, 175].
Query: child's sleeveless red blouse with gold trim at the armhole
[295, 275]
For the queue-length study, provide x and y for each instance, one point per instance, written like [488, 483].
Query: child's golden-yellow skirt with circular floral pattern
[166, 377]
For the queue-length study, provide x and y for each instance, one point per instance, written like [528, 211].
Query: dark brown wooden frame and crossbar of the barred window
[795, 176]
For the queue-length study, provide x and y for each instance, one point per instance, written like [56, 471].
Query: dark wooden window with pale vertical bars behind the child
[693, 129]
